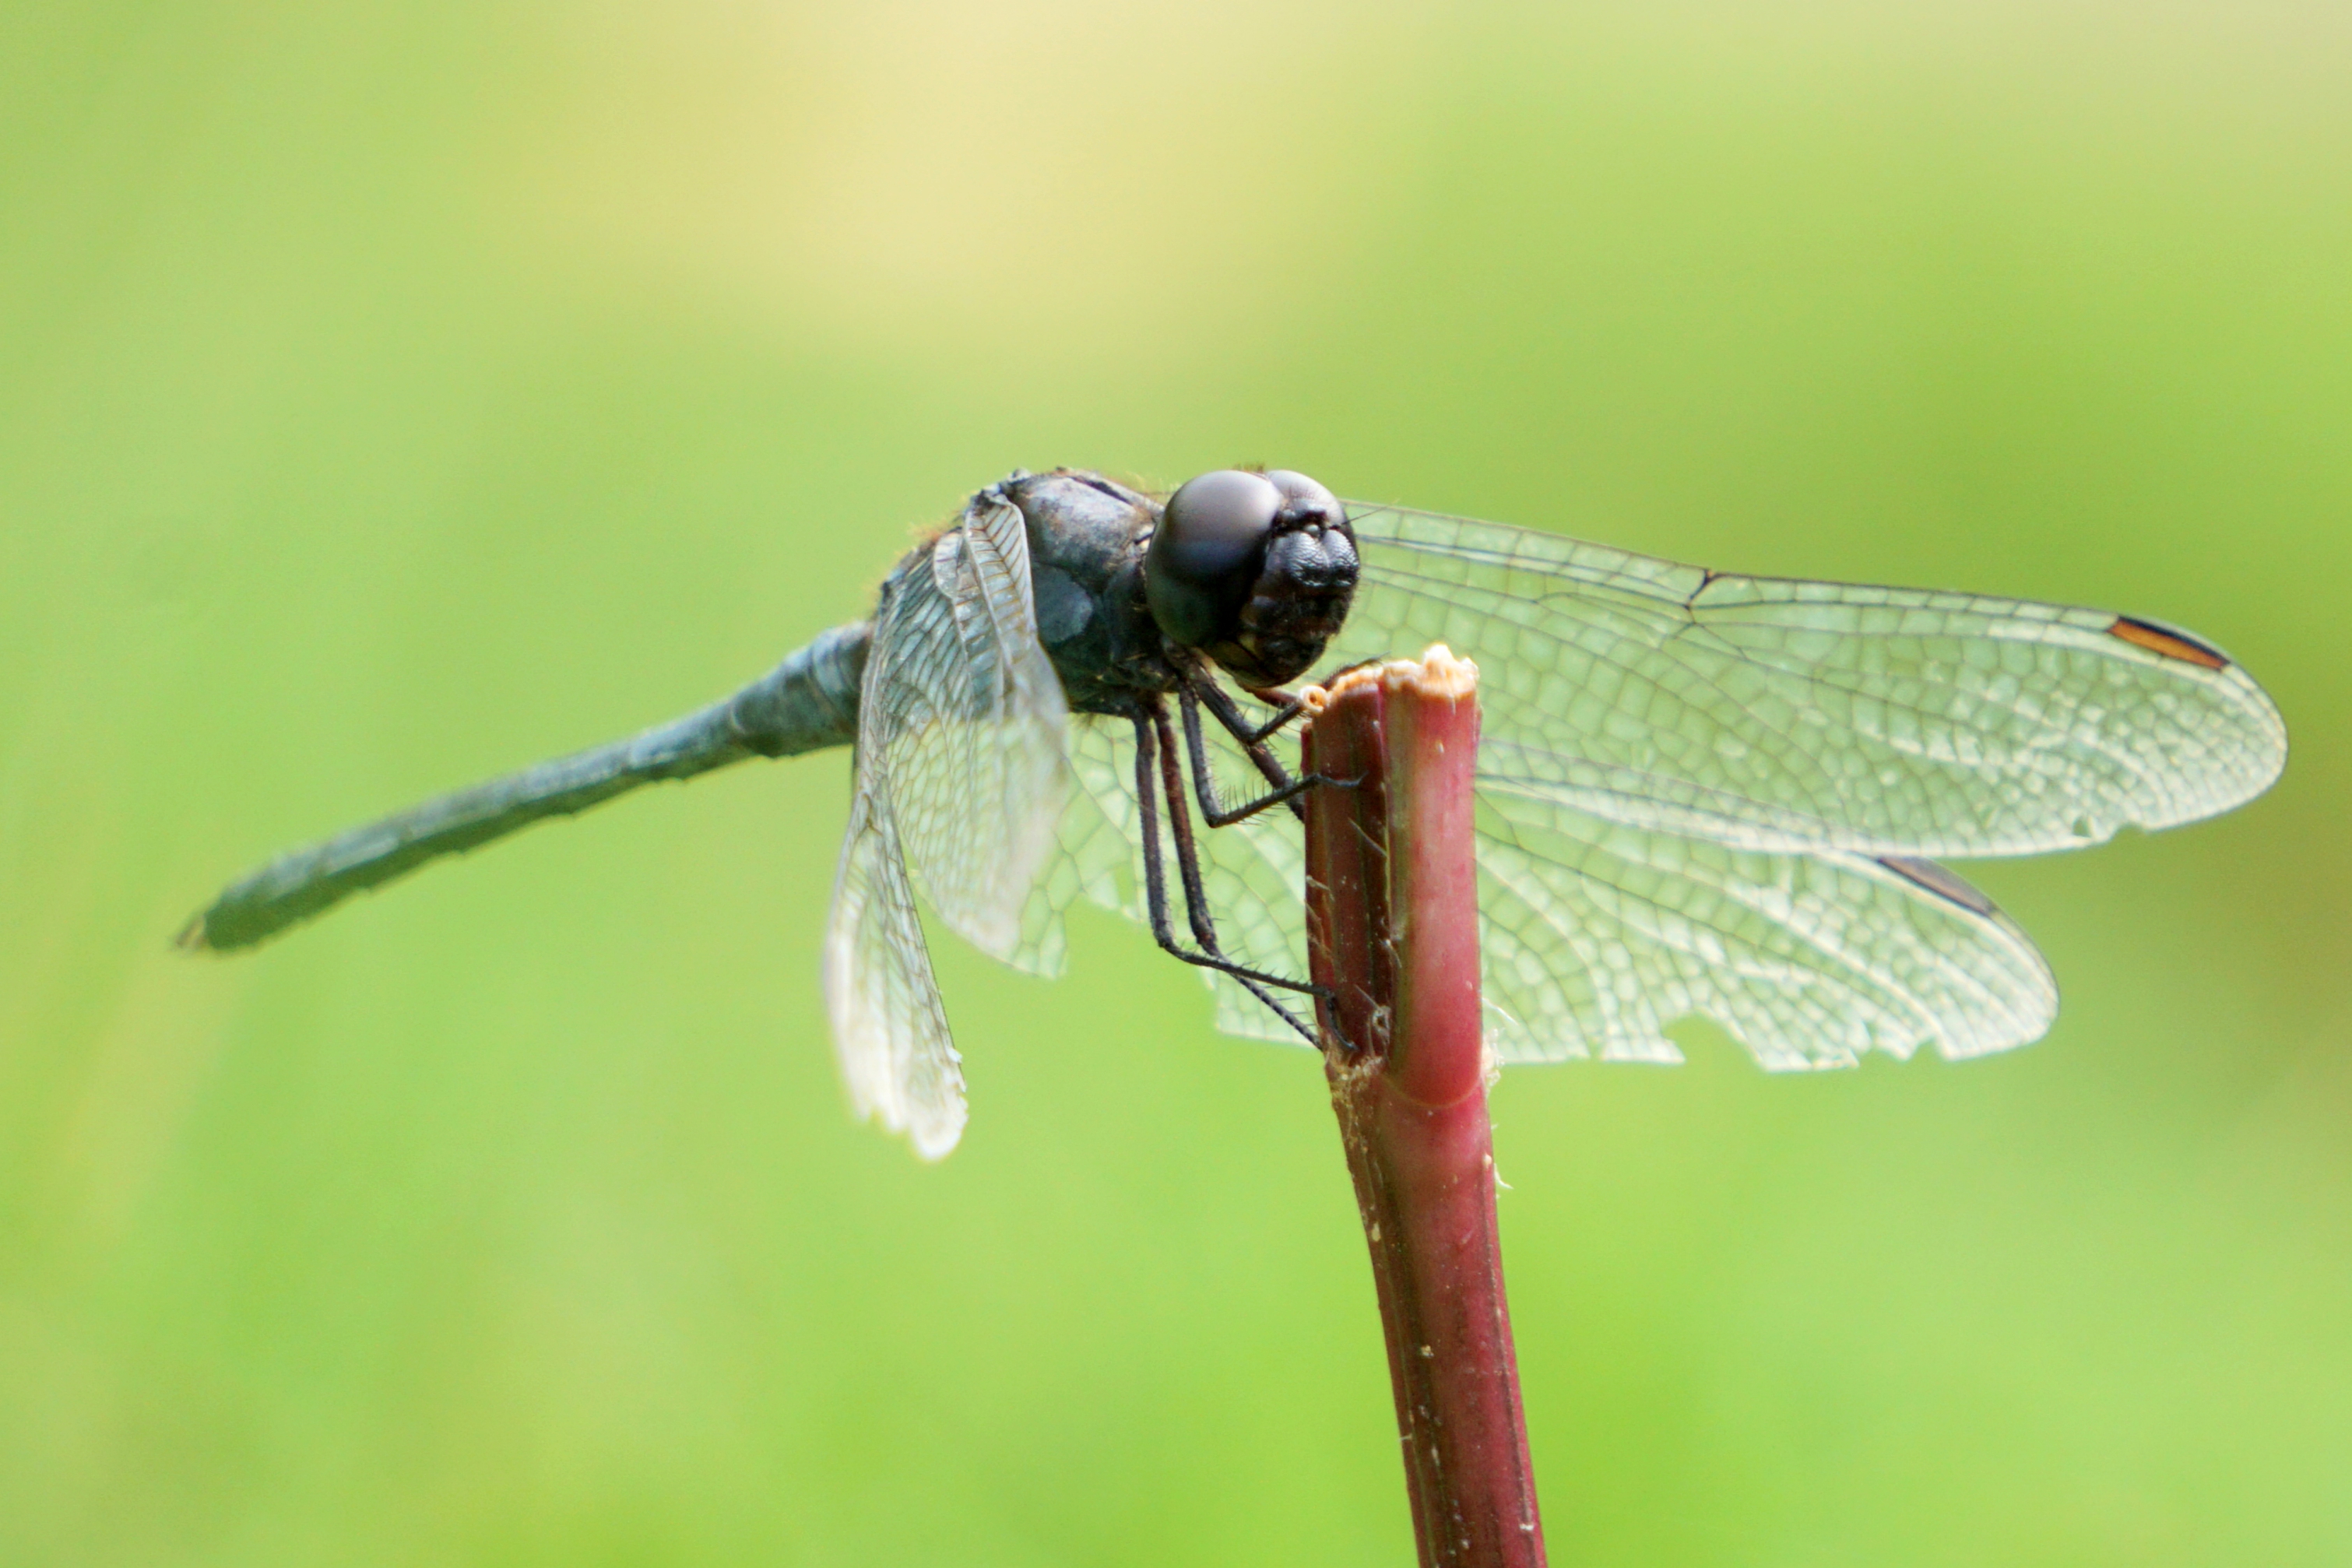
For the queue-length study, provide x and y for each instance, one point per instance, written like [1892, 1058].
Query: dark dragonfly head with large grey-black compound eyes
[1255, 570]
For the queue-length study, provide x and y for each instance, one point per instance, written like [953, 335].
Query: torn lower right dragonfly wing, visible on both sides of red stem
[1596, 937]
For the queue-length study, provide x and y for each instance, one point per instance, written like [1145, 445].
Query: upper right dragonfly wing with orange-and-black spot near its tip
[1796, 716]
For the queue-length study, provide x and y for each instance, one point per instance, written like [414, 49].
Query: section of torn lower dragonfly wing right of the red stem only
[1598, 934]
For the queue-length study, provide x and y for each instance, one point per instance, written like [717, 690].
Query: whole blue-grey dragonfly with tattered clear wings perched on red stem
[1699, 793]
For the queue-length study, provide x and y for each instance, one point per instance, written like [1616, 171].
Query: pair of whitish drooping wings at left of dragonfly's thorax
[961, 782]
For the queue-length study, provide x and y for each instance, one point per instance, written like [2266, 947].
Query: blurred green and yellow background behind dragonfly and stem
[396, 394]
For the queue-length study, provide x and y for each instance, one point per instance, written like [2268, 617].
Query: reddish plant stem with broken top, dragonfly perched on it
[1394, 934]
